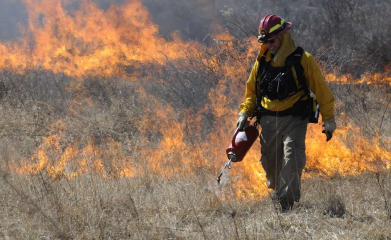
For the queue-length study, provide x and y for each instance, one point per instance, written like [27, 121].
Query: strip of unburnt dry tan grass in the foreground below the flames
[87, 207]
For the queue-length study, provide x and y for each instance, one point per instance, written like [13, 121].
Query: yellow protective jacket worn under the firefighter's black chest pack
[312, 74]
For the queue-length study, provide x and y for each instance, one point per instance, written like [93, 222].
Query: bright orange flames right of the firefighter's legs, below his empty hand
[336, 157]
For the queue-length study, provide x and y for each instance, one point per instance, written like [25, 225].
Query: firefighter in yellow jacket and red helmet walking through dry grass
[282, 96]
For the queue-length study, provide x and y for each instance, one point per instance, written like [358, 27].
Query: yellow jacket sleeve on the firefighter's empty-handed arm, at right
[318, 86]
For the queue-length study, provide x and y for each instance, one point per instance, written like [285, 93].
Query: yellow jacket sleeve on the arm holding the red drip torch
[248, 106]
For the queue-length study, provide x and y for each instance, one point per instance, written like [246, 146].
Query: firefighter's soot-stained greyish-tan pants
[283, 153]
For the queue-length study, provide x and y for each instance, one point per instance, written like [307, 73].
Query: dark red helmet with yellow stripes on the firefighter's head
[272, 26]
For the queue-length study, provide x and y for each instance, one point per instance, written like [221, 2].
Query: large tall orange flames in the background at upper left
[90, 41]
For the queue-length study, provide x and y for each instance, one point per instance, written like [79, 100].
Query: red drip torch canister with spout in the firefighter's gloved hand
[240, 144]
